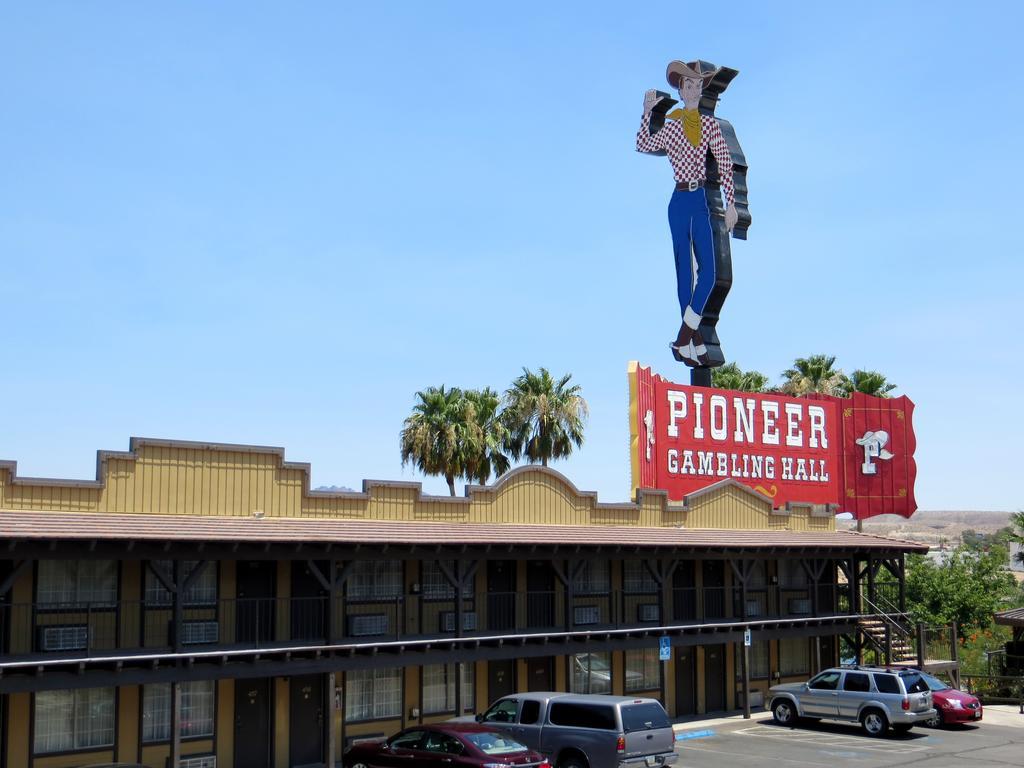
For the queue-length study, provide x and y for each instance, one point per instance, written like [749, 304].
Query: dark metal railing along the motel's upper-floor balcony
[89, 628]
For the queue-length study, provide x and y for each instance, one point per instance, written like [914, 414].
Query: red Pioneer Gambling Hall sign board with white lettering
[857, 454]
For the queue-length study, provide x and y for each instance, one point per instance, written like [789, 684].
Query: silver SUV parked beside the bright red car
[877, 698]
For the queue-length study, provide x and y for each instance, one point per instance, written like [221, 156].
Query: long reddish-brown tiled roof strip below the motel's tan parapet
[89, 527]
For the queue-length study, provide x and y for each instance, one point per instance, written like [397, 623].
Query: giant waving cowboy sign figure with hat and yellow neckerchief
[687, 137]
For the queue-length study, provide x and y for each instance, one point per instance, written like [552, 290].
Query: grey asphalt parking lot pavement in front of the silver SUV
[742, 744]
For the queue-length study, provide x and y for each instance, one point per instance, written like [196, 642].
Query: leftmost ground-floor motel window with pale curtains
[68, 720]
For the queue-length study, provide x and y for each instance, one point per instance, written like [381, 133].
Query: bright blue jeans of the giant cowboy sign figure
[690, 221]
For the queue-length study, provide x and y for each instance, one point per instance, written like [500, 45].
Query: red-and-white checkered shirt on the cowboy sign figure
[689, 162]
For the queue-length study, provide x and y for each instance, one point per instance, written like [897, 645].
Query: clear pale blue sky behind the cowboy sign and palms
[274, 224]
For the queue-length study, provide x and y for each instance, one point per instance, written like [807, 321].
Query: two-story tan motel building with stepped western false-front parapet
[199, 602]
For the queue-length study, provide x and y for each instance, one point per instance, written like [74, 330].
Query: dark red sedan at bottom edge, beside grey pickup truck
[445, 746]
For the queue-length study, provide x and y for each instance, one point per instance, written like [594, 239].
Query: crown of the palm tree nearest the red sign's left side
[544, 417]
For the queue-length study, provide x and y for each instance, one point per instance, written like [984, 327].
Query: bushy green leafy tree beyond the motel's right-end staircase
[968, 588]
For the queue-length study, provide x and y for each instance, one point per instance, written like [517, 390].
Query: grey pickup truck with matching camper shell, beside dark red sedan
[587, 731]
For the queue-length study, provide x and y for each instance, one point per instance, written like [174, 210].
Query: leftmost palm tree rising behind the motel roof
[440, 435]
